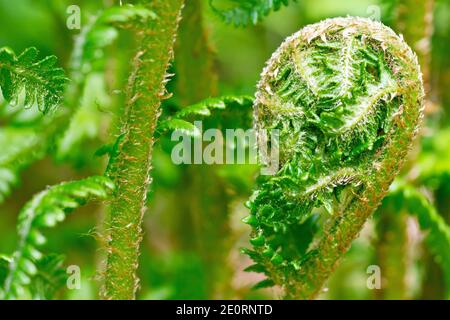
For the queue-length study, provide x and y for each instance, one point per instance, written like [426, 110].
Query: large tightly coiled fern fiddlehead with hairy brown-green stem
[346, 96]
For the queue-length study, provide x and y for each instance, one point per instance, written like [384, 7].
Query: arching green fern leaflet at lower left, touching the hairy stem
[45, 210]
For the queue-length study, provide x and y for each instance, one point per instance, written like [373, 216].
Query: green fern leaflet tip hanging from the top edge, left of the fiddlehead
[243, 12]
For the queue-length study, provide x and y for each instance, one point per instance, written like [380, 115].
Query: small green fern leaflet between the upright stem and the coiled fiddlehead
[182, 120]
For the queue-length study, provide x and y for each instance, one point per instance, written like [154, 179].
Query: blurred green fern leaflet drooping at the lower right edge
[407, 198]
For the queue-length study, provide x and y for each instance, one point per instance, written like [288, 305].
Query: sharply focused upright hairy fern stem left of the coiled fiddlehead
[131, 167]
